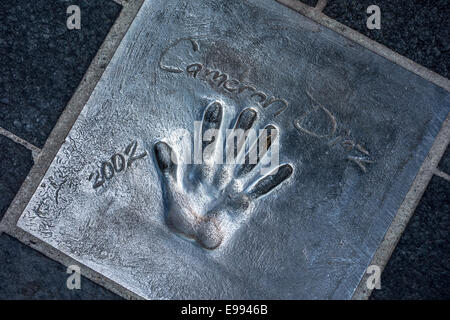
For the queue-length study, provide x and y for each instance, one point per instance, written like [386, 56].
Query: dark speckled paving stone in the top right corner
[417, 29]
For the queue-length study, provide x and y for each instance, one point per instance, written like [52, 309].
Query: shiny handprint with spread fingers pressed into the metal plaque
[204, 201]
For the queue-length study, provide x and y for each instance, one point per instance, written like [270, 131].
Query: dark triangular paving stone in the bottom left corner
[27, 274]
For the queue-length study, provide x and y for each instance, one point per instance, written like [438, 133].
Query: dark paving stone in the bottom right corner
[419, 267]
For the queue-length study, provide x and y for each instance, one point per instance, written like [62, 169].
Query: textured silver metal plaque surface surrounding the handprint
[353, 127]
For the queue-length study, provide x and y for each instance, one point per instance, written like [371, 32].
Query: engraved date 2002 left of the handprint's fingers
[118, 163]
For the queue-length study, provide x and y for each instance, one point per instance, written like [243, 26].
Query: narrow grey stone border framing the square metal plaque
[130, 8]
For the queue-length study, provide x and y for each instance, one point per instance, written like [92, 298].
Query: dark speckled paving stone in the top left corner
[43, 61]
